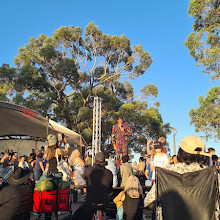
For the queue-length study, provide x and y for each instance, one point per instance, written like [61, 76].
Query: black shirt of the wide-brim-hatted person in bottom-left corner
[16, 202]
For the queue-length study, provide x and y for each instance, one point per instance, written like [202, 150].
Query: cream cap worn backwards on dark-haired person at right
[193, 145]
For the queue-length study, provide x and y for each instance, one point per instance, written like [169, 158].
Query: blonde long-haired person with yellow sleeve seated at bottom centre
[129, 200]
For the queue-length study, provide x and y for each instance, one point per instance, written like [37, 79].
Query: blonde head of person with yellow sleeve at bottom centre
[133, 187]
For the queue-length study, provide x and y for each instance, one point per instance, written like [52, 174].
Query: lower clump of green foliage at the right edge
[206, 118]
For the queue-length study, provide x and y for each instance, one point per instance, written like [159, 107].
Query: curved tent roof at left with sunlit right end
[19, 121]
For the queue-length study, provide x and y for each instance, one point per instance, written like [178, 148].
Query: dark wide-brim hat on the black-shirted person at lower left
[18, 176]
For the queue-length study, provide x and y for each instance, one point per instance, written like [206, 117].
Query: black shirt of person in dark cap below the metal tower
[99, 181]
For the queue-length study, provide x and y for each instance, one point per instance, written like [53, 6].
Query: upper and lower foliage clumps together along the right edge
[204, 46]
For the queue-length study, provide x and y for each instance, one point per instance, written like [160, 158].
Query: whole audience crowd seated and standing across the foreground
[106, 173]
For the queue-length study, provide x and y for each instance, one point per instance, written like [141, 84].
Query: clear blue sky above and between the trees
[160, 26]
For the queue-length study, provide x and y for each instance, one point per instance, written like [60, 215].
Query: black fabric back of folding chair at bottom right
[190, 196]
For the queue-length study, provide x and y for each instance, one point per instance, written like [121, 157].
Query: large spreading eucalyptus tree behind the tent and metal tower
[60, 75]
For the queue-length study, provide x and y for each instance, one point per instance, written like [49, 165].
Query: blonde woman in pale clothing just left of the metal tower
[78, 165]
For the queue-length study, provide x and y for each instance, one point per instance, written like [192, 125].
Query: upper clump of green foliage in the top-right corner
[204, 42]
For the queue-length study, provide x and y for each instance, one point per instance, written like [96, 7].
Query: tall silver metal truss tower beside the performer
[96, 134]
